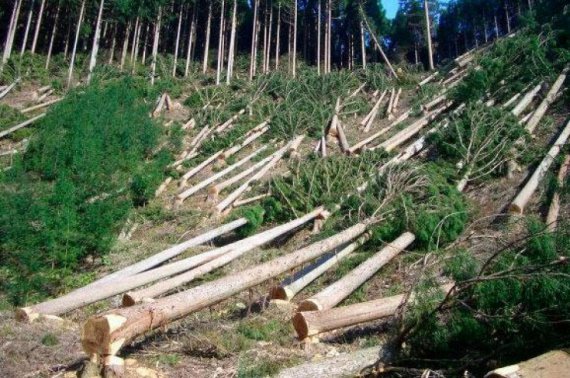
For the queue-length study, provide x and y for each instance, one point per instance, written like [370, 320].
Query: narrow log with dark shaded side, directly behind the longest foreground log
[293, 285]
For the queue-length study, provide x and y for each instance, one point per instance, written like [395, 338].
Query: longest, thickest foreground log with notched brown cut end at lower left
[107, 333]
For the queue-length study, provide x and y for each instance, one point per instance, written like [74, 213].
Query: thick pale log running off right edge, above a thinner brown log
[520, 201]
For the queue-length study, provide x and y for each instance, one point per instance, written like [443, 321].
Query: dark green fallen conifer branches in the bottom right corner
[515, 307]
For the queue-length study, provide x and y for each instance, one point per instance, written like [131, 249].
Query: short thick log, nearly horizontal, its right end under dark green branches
[312, 323]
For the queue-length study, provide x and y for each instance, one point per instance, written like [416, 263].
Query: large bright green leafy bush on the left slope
[67, 198]
